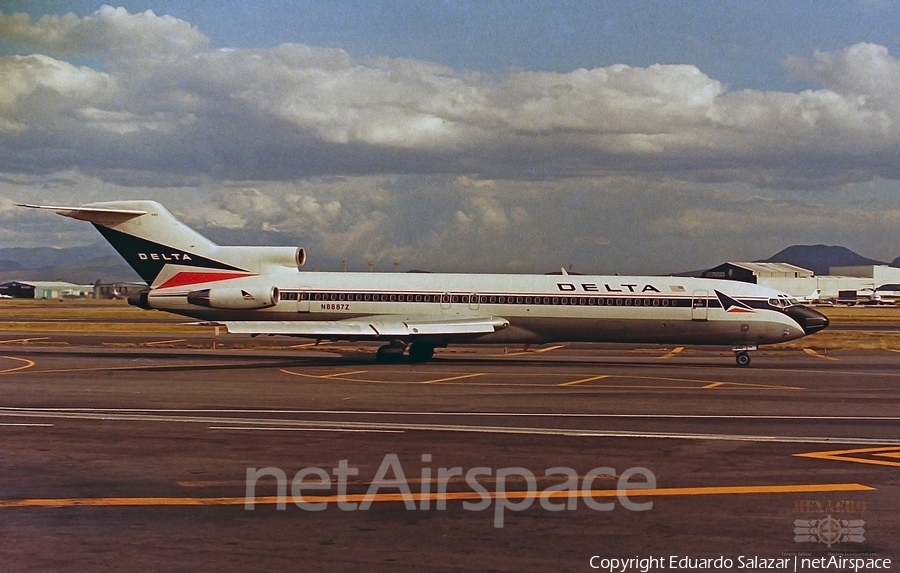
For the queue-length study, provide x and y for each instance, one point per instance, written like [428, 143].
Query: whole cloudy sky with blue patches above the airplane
[503, 136]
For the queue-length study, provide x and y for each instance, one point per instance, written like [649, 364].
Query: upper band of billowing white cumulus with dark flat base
[163, 100]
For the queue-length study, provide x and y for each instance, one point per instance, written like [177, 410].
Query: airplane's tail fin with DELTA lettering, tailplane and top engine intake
[149, 237]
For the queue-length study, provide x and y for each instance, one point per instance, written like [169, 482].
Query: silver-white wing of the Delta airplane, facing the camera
[368, 327]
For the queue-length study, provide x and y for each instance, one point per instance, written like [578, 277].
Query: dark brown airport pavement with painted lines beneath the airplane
[132, 452]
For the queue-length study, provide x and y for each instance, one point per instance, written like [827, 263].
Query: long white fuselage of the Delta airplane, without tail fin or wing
[539, 308]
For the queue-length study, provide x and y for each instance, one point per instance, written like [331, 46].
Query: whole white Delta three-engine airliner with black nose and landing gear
[261, 290]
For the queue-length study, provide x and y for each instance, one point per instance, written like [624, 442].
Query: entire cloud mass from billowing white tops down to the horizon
[616, 169]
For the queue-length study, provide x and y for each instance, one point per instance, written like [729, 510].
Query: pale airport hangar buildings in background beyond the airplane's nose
[800, 282]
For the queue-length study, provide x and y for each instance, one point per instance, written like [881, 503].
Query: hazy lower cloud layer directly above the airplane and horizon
[612, 224]
